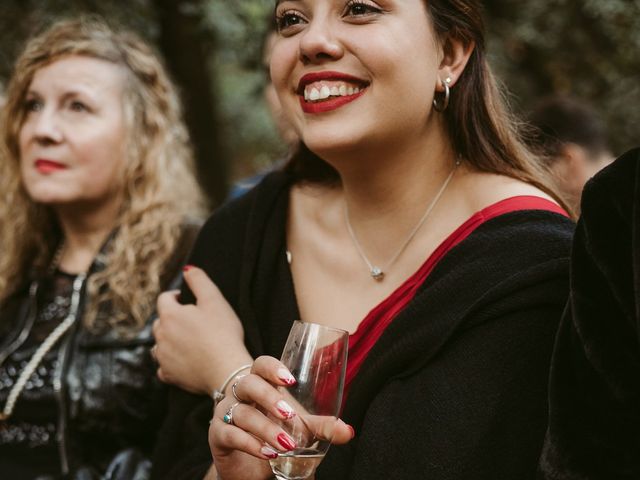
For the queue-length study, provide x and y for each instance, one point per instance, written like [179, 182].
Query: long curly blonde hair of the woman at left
[160, 190]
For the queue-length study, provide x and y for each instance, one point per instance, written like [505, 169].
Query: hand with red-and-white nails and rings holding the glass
[242, 447]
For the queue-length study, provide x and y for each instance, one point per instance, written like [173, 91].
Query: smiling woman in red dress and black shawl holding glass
[407, 218]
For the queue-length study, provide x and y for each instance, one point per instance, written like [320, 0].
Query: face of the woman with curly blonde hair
[72, 139]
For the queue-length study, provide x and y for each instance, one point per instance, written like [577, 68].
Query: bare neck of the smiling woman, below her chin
[383, 197]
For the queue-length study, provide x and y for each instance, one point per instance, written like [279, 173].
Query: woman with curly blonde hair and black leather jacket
[96, 175]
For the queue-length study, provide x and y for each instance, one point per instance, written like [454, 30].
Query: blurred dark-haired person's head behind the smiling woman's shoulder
[570, 135]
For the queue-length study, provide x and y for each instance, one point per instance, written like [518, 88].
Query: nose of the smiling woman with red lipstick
[319, 43]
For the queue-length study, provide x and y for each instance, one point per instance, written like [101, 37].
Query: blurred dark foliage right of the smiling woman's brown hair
[585, 48]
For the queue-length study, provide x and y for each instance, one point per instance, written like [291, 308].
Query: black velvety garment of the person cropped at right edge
[594, 422]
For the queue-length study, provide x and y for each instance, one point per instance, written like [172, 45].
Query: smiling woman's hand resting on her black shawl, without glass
[198, 346]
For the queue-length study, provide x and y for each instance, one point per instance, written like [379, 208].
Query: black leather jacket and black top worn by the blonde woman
[94, 395]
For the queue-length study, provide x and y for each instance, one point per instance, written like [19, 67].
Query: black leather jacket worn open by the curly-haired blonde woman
[110, 402]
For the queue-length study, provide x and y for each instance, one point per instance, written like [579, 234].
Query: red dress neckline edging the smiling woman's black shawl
[374, 324]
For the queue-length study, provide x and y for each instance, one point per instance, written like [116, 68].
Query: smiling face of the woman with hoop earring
[353, 71]
